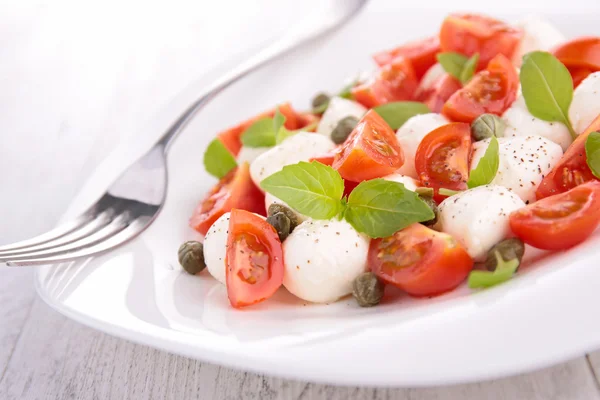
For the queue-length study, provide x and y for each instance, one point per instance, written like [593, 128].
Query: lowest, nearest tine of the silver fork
[120, 238]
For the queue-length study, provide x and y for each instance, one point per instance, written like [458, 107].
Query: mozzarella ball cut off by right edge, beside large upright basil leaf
[586, 103]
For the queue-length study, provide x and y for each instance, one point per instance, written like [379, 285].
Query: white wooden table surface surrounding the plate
[74, 78]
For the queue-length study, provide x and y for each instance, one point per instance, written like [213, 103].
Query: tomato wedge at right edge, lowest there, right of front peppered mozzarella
[560, 221]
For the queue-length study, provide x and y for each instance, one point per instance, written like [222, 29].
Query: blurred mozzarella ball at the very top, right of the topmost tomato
[538, 34]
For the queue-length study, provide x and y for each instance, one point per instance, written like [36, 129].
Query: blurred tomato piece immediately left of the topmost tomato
[420, 53]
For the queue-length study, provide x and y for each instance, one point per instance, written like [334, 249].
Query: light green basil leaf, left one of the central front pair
[312, 189]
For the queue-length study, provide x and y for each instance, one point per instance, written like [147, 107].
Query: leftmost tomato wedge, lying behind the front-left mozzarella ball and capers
[235, 190]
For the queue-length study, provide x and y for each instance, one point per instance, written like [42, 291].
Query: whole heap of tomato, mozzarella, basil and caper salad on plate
[438, 168]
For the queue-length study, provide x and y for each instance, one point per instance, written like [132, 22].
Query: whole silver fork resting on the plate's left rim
[135, 199]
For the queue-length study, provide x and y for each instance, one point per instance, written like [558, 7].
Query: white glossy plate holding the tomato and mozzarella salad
[546, 315]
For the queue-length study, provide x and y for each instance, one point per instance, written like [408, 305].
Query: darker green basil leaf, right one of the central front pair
[380, 208]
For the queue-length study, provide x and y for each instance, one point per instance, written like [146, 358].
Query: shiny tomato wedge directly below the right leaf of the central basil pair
[420, 261]
